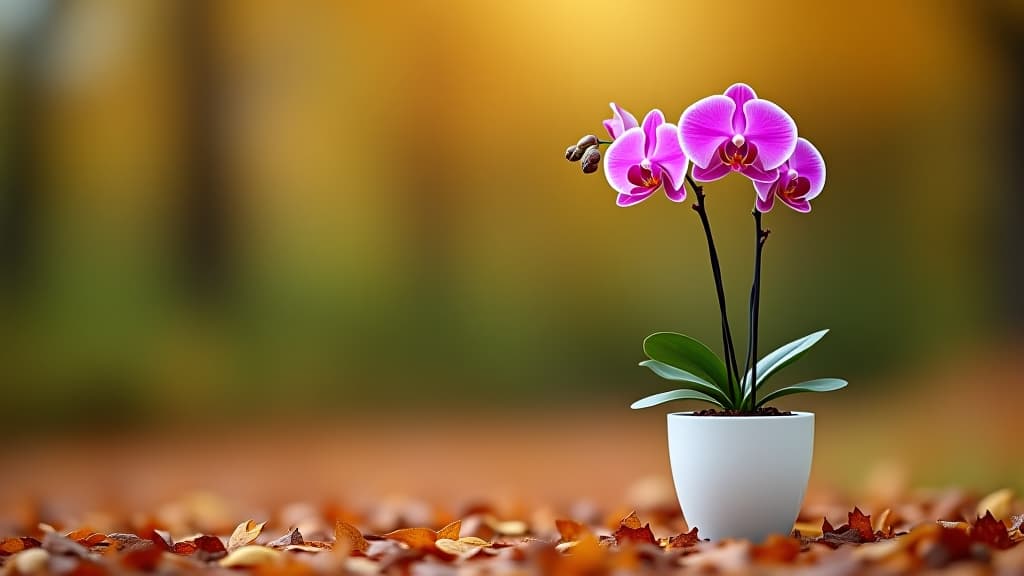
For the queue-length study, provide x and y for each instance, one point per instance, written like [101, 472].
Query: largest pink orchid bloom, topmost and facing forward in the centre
[737, 133]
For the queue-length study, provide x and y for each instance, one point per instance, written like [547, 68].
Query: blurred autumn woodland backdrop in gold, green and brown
[340, 239]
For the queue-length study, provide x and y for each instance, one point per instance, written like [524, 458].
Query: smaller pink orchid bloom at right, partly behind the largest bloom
[800, 181]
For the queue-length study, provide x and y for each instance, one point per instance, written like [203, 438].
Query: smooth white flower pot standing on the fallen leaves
[741, 477]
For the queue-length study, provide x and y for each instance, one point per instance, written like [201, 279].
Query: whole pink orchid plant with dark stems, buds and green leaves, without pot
[739, 133]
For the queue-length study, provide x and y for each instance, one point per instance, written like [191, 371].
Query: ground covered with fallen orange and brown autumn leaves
[924, 532]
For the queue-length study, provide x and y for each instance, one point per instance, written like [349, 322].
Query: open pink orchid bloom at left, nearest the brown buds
[644, 159]
